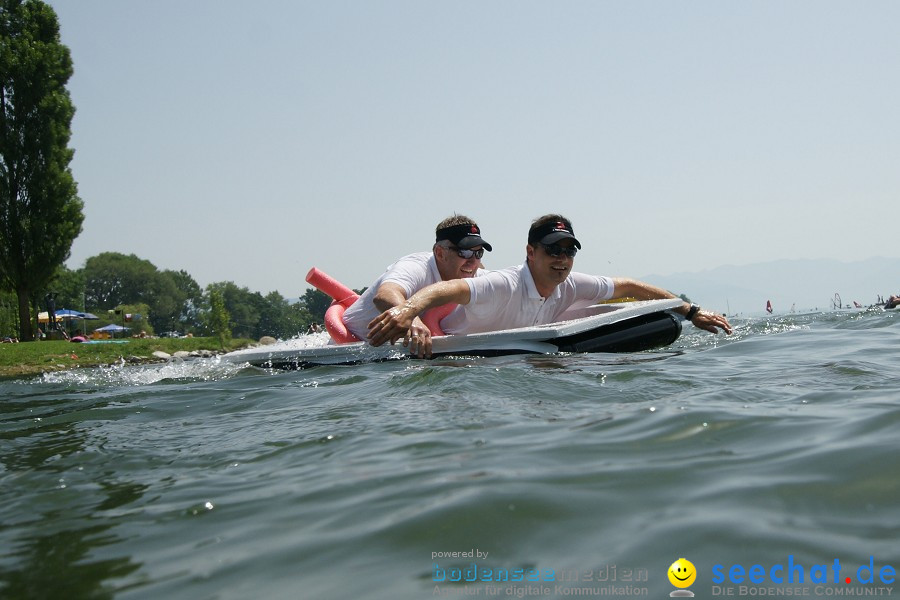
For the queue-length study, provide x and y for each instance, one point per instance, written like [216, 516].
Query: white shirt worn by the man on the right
[508, 298]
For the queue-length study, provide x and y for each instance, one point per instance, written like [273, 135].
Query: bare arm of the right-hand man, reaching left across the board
[396, 322]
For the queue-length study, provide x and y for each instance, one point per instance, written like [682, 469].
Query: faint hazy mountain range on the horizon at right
[802, 284]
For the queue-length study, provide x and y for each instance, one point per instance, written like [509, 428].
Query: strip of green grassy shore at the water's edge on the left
[33, 358]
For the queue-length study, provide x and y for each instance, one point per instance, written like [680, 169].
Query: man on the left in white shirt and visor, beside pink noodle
[456, 254]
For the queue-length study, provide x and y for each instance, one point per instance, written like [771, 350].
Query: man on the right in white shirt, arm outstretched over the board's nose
[543, 290]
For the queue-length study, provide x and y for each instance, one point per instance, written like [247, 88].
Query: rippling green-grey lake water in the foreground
[577, 476]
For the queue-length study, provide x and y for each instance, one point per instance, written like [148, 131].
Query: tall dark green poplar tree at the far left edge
[40, 212]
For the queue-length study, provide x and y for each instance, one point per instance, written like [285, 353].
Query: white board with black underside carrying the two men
[622, 327]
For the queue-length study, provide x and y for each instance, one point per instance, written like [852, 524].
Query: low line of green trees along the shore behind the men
[129, 291]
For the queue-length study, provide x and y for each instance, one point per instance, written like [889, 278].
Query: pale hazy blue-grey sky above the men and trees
[249, 141]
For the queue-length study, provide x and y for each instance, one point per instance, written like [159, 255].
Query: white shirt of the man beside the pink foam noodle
[412, 273]
